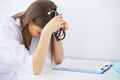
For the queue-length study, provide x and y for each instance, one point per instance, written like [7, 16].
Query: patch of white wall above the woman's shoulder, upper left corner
[10, 7]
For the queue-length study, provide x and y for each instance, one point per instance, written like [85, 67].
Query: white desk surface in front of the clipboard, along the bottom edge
[64, 75]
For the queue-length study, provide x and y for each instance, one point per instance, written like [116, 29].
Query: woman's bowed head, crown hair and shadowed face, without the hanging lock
[36, 16]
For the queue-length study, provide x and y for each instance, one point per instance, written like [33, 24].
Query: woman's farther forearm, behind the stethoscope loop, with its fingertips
[57, 52]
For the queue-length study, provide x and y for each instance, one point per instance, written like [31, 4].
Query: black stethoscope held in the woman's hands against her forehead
[60, 34]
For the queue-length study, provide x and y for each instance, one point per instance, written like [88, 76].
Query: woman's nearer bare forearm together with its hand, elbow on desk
[40, 53]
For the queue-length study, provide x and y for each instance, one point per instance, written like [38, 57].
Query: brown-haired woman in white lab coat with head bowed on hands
[19, 50]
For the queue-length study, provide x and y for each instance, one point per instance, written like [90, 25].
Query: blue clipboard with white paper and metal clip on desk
[89, 66]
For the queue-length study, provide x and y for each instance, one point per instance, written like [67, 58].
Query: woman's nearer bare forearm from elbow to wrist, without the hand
[40, 53]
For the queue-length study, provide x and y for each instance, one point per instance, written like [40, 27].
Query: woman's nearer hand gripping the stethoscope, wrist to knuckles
[55, 24]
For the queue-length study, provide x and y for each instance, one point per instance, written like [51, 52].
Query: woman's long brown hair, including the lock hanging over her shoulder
[36, 12]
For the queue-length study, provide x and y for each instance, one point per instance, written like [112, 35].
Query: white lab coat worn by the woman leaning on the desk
[15, 59]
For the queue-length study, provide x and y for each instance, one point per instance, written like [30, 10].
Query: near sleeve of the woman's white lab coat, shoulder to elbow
[10, 39]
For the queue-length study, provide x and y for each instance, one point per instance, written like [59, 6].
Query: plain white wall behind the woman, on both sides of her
[94, 26]
